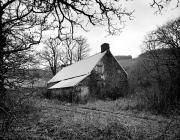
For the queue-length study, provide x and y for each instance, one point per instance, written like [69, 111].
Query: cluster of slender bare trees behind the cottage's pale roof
[57, 54]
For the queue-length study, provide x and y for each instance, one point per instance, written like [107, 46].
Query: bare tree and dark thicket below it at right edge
[159, 67]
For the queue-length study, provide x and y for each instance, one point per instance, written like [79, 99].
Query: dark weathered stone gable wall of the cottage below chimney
[112, 74]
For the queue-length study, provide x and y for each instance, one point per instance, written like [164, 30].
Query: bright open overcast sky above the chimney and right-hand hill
[130, 40]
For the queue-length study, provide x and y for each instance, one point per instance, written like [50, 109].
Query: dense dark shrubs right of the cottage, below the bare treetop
[153, 81]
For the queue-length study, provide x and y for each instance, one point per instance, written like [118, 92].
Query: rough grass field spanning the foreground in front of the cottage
[52, 120]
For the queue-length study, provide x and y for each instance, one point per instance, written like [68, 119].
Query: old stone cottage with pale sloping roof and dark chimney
[96, 75]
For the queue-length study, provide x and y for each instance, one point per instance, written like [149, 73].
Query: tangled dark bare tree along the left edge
[15, 20]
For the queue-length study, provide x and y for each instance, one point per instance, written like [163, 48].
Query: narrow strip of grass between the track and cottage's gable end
[127, 106]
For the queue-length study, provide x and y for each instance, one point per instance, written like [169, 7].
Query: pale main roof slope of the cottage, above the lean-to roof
[77, 69]
